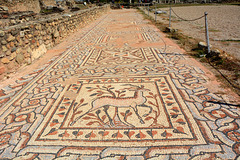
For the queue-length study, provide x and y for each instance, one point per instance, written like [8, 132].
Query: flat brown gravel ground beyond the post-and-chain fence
[223, 23]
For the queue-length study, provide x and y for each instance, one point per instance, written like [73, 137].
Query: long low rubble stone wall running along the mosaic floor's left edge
[23, 43]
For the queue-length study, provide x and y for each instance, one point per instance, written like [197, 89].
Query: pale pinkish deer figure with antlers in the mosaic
[105, 102]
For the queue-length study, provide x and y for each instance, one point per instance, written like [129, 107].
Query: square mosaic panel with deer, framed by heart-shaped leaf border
[120, 112]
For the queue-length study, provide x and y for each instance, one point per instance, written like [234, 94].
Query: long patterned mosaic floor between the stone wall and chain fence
[120, 90]
